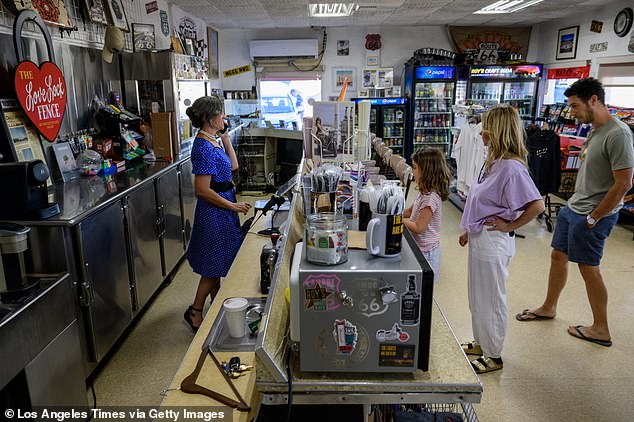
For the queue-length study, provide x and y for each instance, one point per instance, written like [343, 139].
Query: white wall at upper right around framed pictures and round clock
[544, 40]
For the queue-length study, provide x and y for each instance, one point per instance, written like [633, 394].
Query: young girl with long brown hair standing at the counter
[432, 175]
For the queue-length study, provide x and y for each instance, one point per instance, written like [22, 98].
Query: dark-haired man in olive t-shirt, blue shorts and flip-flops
[605, 176]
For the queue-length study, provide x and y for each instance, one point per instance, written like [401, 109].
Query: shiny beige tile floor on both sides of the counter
[548, 375]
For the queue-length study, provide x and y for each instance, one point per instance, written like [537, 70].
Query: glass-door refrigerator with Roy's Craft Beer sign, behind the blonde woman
[515, 85]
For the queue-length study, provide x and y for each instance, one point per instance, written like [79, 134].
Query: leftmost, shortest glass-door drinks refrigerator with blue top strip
[389, 121]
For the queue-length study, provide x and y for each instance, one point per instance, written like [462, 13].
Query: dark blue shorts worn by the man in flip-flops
[573, 237]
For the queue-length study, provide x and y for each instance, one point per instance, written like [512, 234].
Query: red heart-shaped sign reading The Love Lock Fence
[42, 94]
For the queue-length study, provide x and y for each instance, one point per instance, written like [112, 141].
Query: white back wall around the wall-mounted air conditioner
[398, 45]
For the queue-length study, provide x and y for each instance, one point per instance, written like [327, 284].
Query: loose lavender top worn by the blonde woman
[504, 192]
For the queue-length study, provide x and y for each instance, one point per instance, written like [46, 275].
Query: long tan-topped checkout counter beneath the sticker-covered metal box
[448, 380]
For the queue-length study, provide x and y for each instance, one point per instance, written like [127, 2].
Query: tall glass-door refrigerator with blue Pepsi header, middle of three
[432, 89]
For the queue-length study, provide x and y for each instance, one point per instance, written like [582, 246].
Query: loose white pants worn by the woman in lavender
[490, 254]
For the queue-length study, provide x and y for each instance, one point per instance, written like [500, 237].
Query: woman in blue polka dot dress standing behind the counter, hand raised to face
[216, 235]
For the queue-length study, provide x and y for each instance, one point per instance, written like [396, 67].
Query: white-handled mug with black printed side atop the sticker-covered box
[384, 235]
